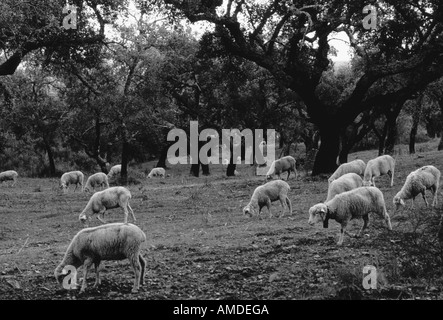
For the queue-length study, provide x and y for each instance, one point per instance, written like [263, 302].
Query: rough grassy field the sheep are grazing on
[200, 246]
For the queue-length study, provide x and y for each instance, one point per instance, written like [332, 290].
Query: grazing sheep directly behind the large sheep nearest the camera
[108, 199]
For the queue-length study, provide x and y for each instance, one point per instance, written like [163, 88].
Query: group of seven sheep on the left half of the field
[112, 241]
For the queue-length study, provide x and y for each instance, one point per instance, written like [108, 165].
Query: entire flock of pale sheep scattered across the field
[349, 196]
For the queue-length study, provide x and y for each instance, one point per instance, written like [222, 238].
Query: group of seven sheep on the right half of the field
[349, 195]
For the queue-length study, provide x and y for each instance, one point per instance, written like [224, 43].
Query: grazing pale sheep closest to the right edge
[418, 181]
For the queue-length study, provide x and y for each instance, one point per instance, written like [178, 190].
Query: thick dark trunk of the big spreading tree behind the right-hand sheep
[326, 158]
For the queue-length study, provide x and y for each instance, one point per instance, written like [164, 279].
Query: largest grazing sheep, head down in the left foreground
[114, 241]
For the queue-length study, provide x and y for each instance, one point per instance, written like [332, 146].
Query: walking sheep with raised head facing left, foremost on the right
[350, 205]
